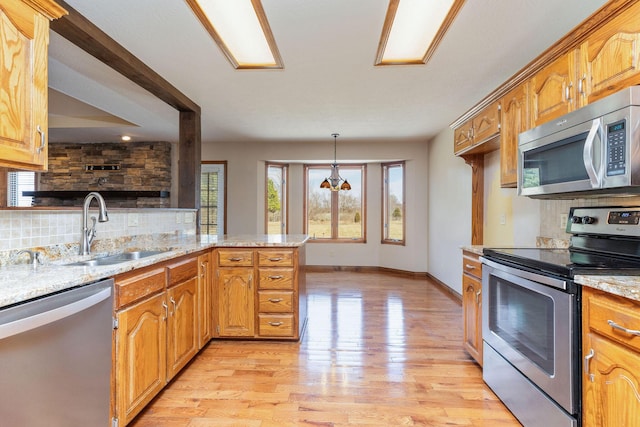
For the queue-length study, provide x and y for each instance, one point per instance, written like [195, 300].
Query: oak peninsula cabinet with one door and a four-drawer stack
[260, 293]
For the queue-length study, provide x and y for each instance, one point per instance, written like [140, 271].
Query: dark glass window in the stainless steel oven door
[524, 319]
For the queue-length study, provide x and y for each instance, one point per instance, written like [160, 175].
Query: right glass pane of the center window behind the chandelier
[350, 206]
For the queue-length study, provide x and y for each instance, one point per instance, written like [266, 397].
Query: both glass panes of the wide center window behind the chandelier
[335, 215]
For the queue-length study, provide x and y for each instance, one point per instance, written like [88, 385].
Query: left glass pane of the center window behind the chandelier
[318, 205]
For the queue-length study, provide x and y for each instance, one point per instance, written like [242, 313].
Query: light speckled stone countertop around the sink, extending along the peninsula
[21, 282]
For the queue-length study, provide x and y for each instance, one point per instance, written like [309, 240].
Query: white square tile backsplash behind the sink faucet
[23, 229]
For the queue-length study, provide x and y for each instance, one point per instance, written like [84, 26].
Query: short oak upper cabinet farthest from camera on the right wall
[479, 134]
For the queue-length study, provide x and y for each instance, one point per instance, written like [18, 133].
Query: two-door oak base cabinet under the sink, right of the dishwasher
[156, 333]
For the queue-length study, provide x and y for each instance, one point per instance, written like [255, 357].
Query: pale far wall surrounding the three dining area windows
[246, 186]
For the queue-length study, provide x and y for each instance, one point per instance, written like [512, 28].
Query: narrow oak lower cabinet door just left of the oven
[472, 311]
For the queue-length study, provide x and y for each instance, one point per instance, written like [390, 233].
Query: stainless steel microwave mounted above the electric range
[592, 151]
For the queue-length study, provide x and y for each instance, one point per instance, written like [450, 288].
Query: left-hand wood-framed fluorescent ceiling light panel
[241, 29]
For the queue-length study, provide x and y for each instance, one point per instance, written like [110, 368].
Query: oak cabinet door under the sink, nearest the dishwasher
[141, 343]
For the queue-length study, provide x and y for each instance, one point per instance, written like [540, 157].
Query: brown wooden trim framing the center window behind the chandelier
[334, 205]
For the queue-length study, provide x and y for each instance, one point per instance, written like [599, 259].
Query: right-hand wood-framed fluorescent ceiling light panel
[413, 28]
